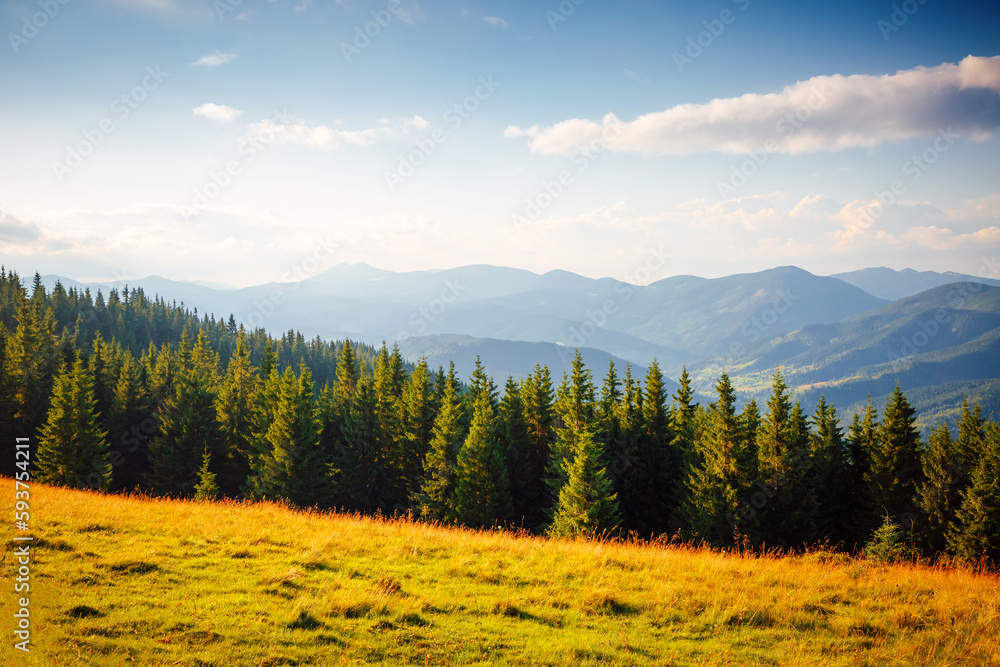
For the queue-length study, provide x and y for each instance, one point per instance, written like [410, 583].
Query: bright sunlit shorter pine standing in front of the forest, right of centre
[587, 504]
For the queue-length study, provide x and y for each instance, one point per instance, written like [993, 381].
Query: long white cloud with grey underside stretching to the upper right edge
[824, 113]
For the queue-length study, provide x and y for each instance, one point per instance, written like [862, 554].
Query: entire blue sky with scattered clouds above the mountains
[245, 141]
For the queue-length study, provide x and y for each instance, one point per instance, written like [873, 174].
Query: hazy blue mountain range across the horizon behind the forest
[845, 336]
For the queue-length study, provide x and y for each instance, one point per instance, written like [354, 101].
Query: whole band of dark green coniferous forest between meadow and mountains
[130, 393]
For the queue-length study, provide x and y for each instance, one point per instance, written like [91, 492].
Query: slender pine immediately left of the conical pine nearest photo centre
[436, 499]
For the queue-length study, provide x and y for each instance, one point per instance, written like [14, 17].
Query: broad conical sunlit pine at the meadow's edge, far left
[72, 450]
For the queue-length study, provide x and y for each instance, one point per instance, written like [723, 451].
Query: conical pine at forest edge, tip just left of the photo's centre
[482, 491]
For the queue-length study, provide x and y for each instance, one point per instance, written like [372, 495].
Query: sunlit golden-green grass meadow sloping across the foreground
[140, 581]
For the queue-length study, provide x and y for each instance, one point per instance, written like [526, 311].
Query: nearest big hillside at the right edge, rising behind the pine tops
[947, 337]
